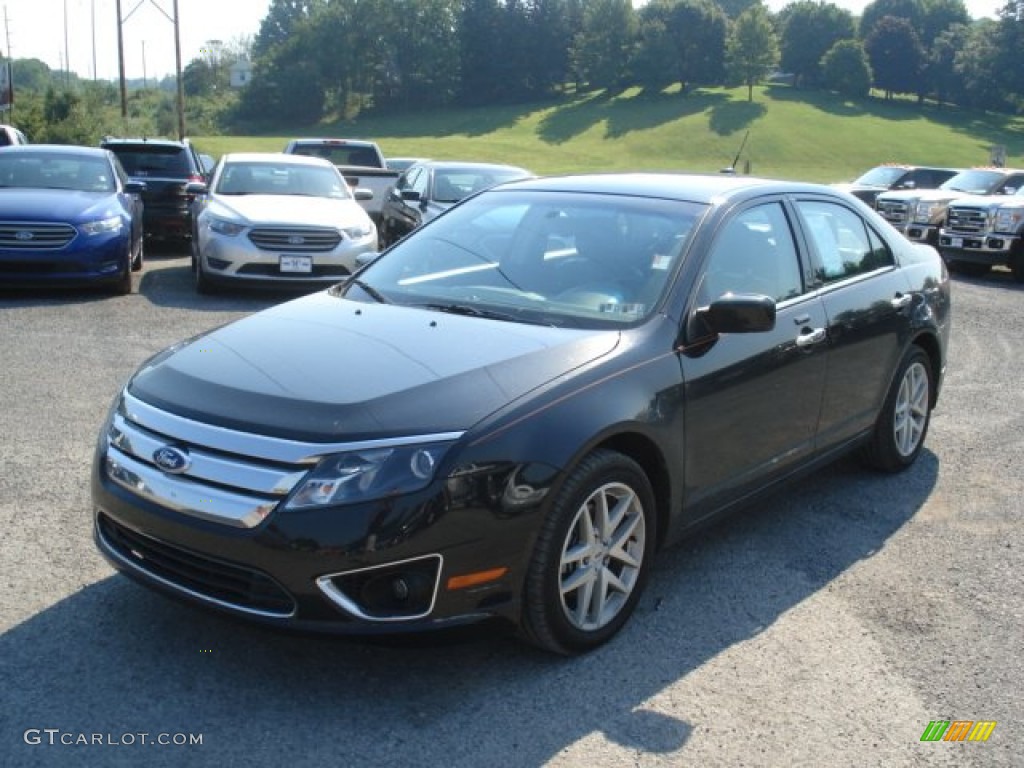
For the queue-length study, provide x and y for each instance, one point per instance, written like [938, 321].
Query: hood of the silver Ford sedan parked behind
[290, 210]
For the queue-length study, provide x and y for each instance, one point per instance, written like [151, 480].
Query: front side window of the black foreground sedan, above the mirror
[754, 252]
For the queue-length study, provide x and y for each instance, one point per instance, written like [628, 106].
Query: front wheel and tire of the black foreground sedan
[563, 611]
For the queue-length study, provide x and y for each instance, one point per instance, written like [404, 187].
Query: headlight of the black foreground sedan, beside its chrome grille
[363, 476]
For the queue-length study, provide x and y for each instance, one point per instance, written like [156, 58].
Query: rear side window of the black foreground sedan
[845, 245]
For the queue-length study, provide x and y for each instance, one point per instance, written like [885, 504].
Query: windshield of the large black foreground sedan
[554, 259]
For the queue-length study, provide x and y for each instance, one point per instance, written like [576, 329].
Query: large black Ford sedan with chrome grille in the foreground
[506, 415]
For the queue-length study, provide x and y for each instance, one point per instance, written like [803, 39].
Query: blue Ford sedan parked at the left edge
[68, 216]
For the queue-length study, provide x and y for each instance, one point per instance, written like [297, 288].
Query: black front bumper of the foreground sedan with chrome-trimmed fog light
[394, 566]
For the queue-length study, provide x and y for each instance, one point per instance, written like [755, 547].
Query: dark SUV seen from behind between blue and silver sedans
[166, 167]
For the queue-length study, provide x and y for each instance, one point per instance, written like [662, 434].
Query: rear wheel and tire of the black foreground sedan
[903, 425]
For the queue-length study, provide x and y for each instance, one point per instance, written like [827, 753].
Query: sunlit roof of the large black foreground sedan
[695, 188]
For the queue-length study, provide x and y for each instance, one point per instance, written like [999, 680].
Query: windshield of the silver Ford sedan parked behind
[281, 179]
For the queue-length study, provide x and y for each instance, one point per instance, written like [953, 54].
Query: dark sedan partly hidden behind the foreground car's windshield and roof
[429, 189]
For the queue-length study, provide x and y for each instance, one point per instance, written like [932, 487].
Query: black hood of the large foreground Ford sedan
[327, 369]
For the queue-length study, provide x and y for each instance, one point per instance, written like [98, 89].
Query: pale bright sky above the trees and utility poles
[35, 29]
